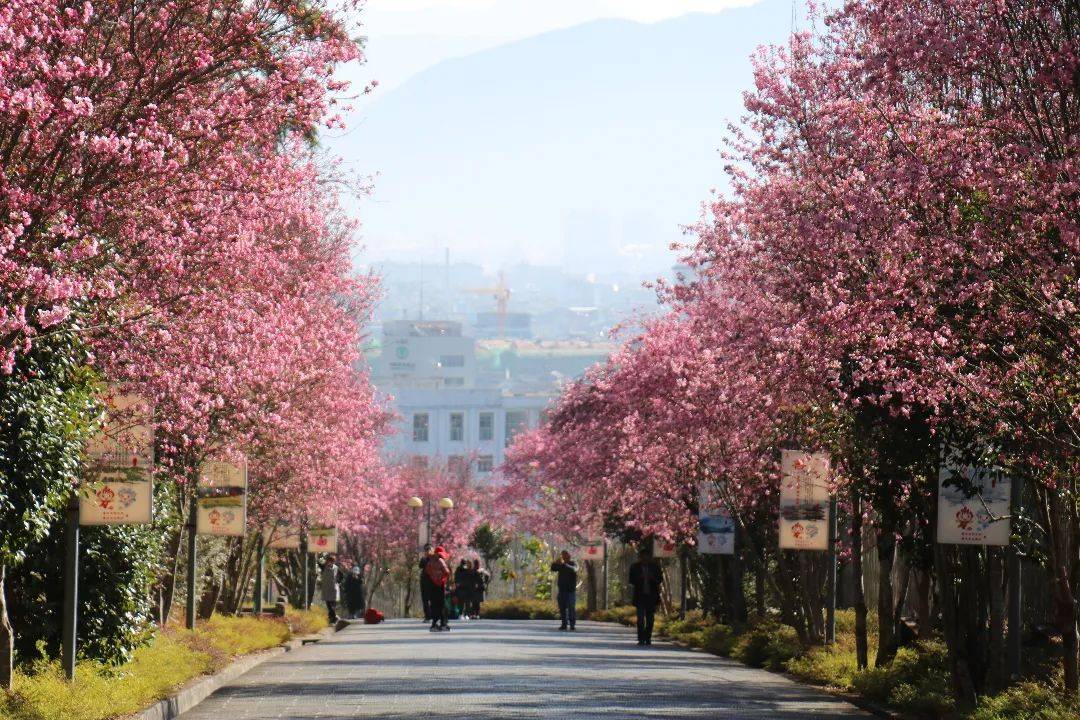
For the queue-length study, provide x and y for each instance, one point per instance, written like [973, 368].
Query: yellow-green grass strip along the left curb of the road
[171, 659]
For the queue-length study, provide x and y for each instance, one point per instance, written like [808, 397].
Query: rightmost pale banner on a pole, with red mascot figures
[964, 521]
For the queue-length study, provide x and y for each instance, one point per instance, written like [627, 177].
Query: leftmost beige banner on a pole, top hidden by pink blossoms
[118, 487]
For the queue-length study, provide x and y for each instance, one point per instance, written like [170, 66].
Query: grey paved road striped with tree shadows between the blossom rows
[490, 670]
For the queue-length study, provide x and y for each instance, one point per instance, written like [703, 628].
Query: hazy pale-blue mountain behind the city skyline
[587, 147]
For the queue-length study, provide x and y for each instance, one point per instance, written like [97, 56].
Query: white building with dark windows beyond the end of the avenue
[430, 369]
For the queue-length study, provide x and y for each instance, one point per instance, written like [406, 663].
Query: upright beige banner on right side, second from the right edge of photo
[804, 500]
